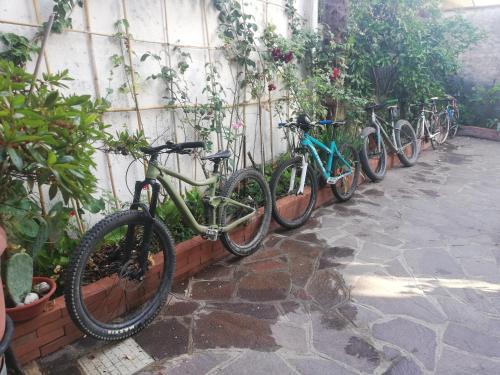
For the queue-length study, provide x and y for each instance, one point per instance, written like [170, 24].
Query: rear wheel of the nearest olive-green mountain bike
[249, 188]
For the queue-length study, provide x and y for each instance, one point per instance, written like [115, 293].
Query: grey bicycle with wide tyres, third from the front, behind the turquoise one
[402, 140]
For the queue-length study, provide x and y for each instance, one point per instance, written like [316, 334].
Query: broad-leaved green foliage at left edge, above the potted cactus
[47, 137]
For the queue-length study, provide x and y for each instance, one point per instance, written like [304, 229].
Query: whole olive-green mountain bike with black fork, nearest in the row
[133, 251]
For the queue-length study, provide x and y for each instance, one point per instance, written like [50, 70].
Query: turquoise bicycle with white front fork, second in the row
[297, 178]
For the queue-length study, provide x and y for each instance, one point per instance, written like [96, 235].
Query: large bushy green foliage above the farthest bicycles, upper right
[414, 37]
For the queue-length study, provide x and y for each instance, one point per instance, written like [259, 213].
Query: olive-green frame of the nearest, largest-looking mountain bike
[216, 203]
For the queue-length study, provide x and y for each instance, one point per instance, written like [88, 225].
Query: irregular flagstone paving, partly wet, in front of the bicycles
[404, 279]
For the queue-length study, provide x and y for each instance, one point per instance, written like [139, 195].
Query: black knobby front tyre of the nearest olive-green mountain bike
[74, 273]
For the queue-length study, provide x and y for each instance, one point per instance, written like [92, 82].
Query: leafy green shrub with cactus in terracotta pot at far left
[46, 154]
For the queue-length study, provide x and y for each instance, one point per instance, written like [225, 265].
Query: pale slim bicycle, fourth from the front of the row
[434, 129]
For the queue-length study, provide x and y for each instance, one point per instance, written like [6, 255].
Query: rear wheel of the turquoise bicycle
[347, 174]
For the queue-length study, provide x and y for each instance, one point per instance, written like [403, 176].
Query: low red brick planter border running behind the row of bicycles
[53, 329]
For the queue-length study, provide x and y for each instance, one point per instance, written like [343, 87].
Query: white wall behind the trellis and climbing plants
[156, 26]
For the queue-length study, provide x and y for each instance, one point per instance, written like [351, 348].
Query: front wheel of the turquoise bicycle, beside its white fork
[298, 199]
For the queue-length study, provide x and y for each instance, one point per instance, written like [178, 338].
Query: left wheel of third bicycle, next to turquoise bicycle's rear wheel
[373, 158]
